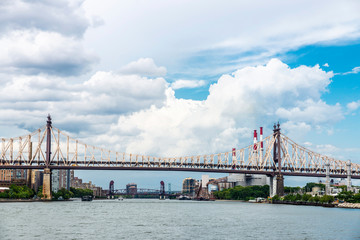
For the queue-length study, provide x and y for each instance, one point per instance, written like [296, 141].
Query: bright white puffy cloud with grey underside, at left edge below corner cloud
[34, 52]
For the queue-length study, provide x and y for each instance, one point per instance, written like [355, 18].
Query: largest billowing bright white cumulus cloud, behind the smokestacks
[236, 103]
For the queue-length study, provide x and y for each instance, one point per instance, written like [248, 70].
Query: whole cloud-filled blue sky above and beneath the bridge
[182, 77]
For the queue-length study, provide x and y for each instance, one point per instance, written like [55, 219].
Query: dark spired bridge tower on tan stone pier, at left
[47, 171]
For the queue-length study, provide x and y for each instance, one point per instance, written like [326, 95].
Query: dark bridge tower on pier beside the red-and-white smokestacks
[277, 184]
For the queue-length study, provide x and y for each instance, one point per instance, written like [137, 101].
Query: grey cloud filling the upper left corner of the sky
[63, 16]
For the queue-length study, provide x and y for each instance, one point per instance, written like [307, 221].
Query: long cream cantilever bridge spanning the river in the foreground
[276, 156]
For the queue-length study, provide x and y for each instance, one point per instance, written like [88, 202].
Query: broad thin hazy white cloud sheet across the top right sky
[183, 40]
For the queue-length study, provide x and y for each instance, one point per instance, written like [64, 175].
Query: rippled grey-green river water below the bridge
[173, 219]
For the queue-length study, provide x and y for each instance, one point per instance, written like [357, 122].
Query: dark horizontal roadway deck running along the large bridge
[285, 172]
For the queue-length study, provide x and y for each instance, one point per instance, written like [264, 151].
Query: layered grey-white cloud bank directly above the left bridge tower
[88, 106]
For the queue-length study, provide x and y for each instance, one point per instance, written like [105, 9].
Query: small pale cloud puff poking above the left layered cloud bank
[143, 67]
